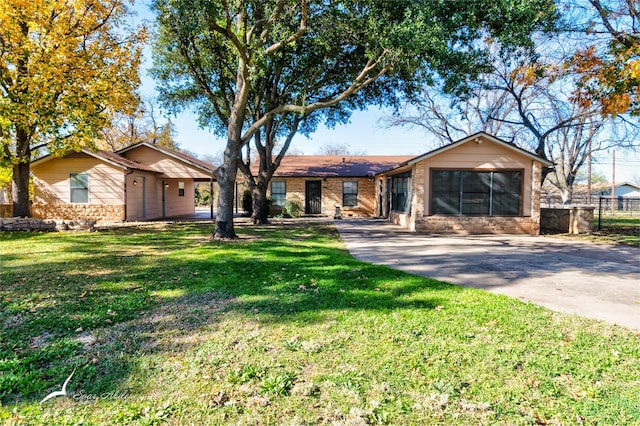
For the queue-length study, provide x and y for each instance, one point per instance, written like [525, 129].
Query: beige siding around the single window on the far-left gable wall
[51, 181]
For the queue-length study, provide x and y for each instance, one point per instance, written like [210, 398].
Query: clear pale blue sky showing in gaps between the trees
[364, 133]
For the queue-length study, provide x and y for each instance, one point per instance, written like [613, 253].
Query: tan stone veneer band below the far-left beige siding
[97, 212]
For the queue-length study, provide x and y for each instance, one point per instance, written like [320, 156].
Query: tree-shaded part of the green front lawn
[95, 301]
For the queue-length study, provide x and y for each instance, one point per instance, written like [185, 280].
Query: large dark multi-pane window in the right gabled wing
[462, 192]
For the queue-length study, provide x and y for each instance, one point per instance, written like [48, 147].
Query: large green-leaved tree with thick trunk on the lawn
[331, 56]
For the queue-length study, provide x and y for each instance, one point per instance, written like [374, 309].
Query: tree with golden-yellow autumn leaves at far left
[64, 65]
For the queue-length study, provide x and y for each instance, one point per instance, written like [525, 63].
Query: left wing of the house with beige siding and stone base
[140, 182]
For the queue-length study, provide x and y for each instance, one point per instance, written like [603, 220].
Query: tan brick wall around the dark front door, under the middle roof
[332, 195]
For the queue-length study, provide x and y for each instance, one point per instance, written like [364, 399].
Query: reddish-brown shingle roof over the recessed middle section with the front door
[337, 165]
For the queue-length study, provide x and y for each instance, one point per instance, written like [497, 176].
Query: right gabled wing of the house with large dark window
[479, 184]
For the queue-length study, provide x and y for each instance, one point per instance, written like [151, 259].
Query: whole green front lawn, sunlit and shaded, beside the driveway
[164, 326]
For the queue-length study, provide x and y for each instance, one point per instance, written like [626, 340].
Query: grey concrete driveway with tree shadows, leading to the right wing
[593, 280]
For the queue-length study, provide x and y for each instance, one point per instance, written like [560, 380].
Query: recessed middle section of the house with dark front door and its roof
[330, 184]
